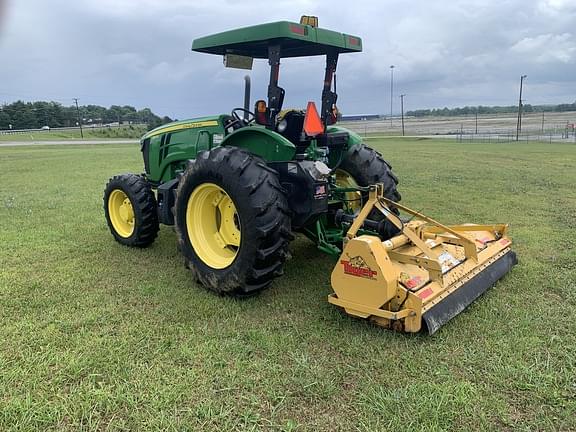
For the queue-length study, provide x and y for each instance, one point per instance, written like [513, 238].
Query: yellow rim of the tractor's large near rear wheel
[213, 225]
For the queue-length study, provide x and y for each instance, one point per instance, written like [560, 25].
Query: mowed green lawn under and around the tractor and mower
[96, 336]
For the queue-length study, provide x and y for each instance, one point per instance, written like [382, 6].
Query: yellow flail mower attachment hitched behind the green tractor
[422, 277]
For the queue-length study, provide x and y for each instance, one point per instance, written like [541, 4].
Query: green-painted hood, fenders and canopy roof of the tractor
[168, 148]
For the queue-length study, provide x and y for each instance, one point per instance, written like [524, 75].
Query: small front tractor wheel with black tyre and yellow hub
[131, 210]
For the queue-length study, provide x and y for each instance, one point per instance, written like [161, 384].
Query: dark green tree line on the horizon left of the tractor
[35, 115]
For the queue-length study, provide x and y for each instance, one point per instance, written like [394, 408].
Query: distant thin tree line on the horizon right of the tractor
[468, 110]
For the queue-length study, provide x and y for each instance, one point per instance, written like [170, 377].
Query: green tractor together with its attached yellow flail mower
[237, 187]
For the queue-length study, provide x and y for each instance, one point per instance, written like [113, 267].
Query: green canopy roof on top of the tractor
[295, 40]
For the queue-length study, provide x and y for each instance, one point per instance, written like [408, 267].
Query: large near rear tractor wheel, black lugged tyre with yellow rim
[232, 221]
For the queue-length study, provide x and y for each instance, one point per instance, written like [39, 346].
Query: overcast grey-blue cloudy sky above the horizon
[137, 52]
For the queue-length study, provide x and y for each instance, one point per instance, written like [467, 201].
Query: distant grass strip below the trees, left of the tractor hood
[127, 132]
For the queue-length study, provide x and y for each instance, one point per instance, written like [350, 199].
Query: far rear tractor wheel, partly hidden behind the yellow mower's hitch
[366, 167]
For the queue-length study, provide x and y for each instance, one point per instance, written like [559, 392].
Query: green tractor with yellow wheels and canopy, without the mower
[237, 186]
